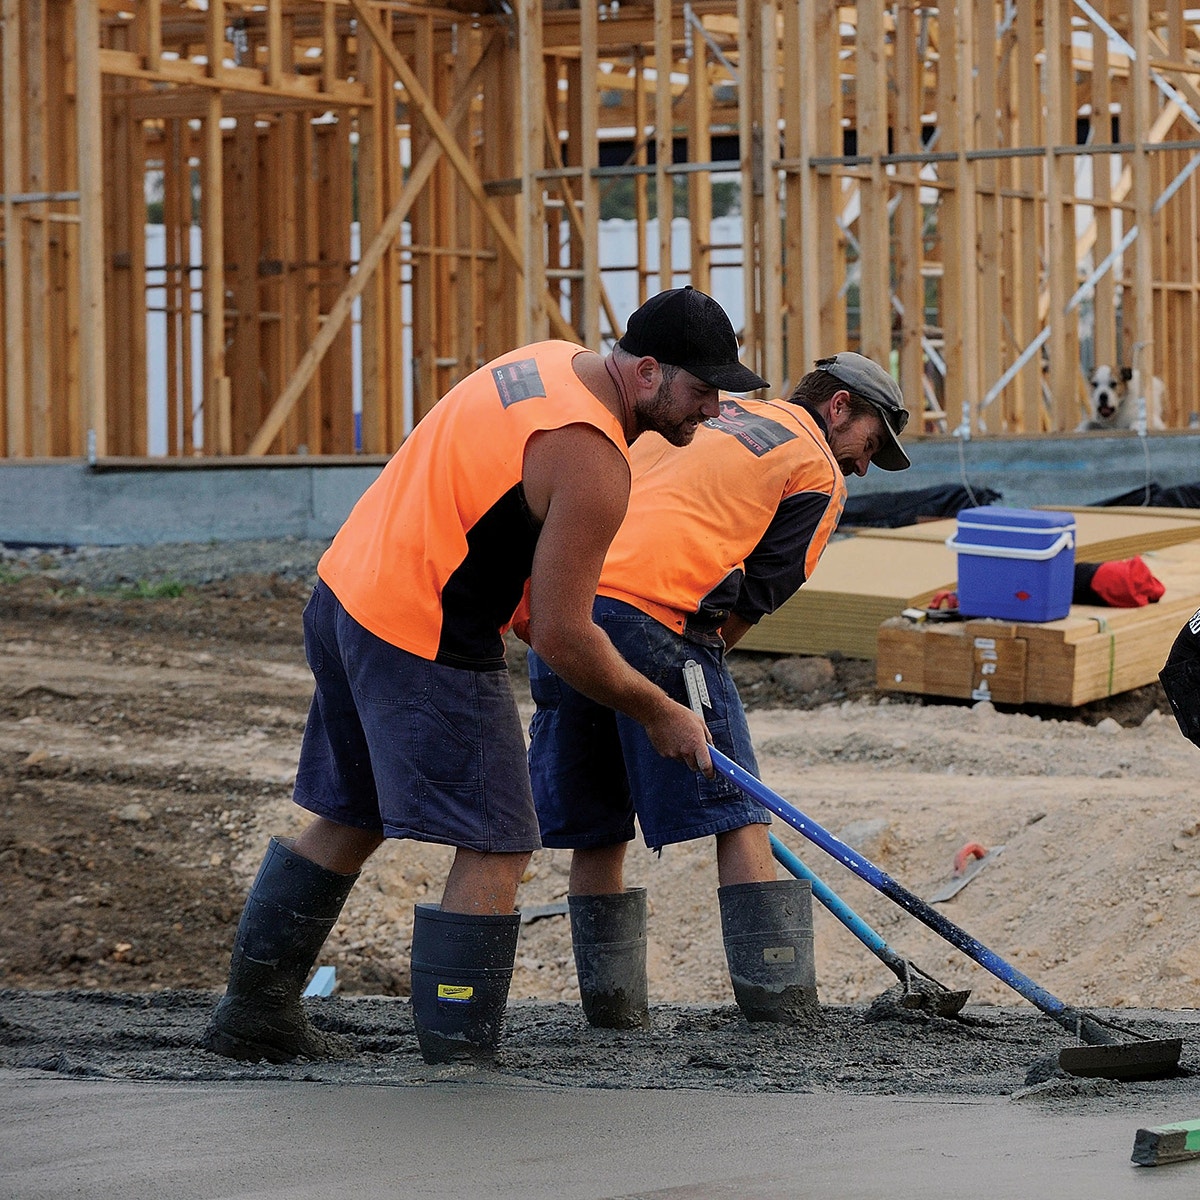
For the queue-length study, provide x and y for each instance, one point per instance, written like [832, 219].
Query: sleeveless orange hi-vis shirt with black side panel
[436, 554]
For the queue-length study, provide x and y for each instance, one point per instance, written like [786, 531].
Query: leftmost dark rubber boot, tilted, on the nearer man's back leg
[292, 907]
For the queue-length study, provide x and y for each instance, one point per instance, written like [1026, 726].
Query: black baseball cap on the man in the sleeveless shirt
[689, 329]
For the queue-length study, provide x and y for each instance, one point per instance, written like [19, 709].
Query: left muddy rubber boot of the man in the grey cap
[609, 939]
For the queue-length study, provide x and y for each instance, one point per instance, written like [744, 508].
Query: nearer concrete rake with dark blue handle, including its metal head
[1103, 1055]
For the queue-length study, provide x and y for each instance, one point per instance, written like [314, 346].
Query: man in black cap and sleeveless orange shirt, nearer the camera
[519, 476]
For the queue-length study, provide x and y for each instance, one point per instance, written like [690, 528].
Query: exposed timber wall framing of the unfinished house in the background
[290, 227]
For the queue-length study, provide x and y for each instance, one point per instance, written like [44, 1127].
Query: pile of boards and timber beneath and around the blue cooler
[854, 602]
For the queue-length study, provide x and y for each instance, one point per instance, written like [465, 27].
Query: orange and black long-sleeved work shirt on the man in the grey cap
[734, 523]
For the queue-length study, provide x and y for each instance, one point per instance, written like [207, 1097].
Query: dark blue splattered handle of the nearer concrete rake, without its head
[1085, 1027]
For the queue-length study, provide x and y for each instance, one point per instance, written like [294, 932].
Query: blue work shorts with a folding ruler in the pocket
[595, 769]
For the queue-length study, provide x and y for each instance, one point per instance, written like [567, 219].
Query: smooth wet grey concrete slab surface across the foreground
[485, 1135]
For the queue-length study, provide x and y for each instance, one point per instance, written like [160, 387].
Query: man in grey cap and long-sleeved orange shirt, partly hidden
[715, 539]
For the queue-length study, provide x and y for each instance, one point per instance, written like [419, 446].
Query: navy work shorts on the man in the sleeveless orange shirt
[410, 748]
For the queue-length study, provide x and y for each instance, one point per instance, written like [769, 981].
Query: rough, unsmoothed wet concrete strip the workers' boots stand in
[855, 1049]
